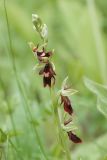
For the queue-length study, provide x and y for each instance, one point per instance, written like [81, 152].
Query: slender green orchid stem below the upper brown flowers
[57, 121]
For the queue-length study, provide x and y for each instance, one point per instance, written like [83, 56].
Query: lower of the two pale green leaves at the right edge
[102, 107]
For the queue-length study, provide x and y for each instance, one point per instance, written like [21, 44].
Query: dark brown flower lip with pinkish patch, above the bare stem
[48, 75]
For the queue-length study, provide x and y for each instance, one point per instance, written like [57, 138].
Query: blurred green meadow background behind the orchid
[78, 33]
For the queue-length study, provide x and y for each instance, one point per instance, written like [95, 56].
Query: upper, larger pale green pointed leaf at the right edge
[96, 88]
